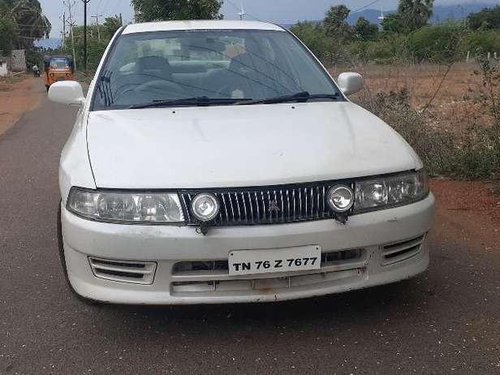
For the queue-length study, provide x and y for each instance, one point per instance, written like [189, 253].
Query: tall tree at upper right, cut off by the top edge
[414, 14]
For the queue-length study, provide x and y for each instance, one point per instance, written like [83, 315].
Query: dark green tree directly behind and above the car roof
[158, 10]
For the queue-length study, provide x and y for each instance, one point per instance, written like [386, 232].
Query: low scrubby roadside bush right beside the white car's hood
[473, 154]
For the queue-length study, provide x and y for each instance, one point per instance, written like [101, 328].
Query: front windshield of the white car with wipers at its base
[209, 67]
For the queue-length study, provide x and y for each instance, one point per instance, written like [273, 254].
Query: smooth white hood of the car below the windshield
[257, 145]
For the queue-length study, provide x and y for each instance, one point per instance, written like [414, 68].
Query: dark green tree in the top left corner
[28, 16]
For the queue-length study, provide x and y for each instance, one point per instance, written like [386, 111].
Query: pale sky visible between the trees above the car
[277, 11]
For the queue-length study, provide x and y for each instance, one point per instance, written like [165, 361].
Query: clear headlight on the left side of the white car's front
[126, 207]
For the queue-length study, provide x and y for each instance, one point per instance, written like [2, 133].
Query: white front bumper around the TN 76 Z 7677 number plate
[392, 244]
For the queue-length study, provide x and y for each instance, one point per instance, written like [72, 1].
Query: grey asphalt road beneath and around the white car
[445, 321]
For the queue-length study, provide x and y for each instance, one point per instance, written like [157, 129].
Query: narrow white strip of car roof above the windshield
[199, 25]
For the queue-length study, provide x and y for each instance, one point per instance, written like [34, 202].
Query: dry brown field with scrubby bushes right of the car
[449, 114]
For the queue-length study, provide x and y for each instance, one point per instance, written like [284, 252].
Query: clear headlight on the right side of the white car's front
[396, 190]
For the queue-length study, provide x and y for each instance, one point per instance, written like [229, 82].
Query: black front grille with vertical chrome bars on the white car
[266, 205]
